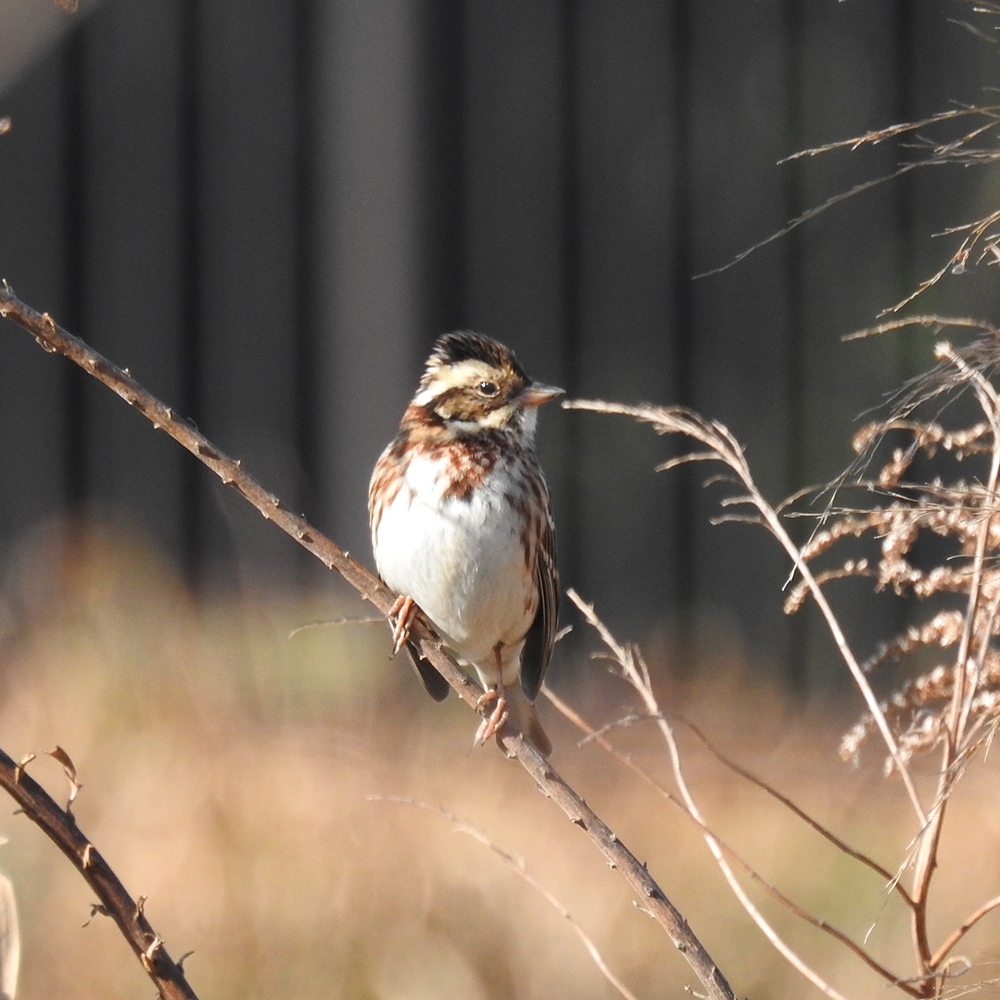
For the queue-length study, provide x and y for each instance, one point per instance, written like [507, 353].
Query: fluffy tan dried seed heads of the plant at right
[957, 504]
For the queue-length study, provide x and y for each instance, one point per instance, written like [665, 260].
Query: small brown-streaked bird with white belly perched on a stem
[462, 527]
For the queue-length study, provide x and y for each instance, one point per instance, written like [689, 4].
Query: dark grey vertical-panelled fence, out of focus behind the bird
[268, 209]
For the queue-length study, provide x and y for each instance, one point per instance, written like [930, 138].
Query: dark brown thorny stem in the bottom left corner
[60, 826]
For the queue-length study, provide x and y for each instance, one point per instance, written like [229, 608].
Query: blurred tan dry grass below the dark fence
[227, 771]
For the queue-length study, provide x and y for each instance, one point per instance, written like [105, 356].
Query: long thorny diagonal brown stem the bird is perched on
[52, 338]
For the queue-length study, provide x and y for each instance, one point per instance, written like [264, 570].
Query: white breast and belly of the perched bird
[462, 561]
